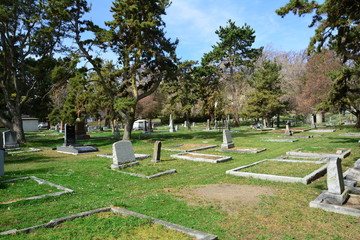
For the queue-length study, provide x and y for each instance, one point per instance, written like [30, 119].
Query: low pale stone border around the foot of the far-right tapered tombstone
[319, 203]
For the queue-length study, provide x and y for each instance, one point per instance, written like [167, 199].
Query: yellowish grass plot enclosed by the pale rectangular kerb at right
[283, 168]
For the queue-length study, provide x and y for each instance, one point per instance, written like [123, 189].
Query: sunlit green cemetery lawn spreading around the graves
[283, 214]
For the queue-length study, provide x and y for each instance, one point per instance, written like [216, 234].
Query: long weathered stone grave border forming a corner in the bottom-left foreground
[54, 222]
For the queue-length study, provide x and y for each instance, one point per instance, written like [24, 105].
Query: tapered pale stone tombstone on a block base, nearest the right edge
[336, 193]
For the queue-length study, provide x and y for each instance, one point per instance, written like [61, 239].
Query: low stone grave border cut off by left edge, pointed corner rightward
[40, 181]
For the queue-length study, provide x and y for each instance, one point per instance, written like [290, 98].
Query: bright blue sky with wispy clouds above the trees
[194, 23]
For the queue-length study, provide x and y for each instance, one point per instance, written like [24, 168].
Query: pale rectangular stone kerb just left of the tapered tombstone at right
[305, 180]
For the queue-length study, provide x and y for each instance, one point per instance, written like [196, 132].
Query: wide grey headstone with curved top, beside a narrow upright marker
[123, 155]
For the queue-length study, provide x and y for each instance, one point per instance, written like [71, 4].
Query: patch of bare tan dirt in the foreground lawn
[229, 197]
